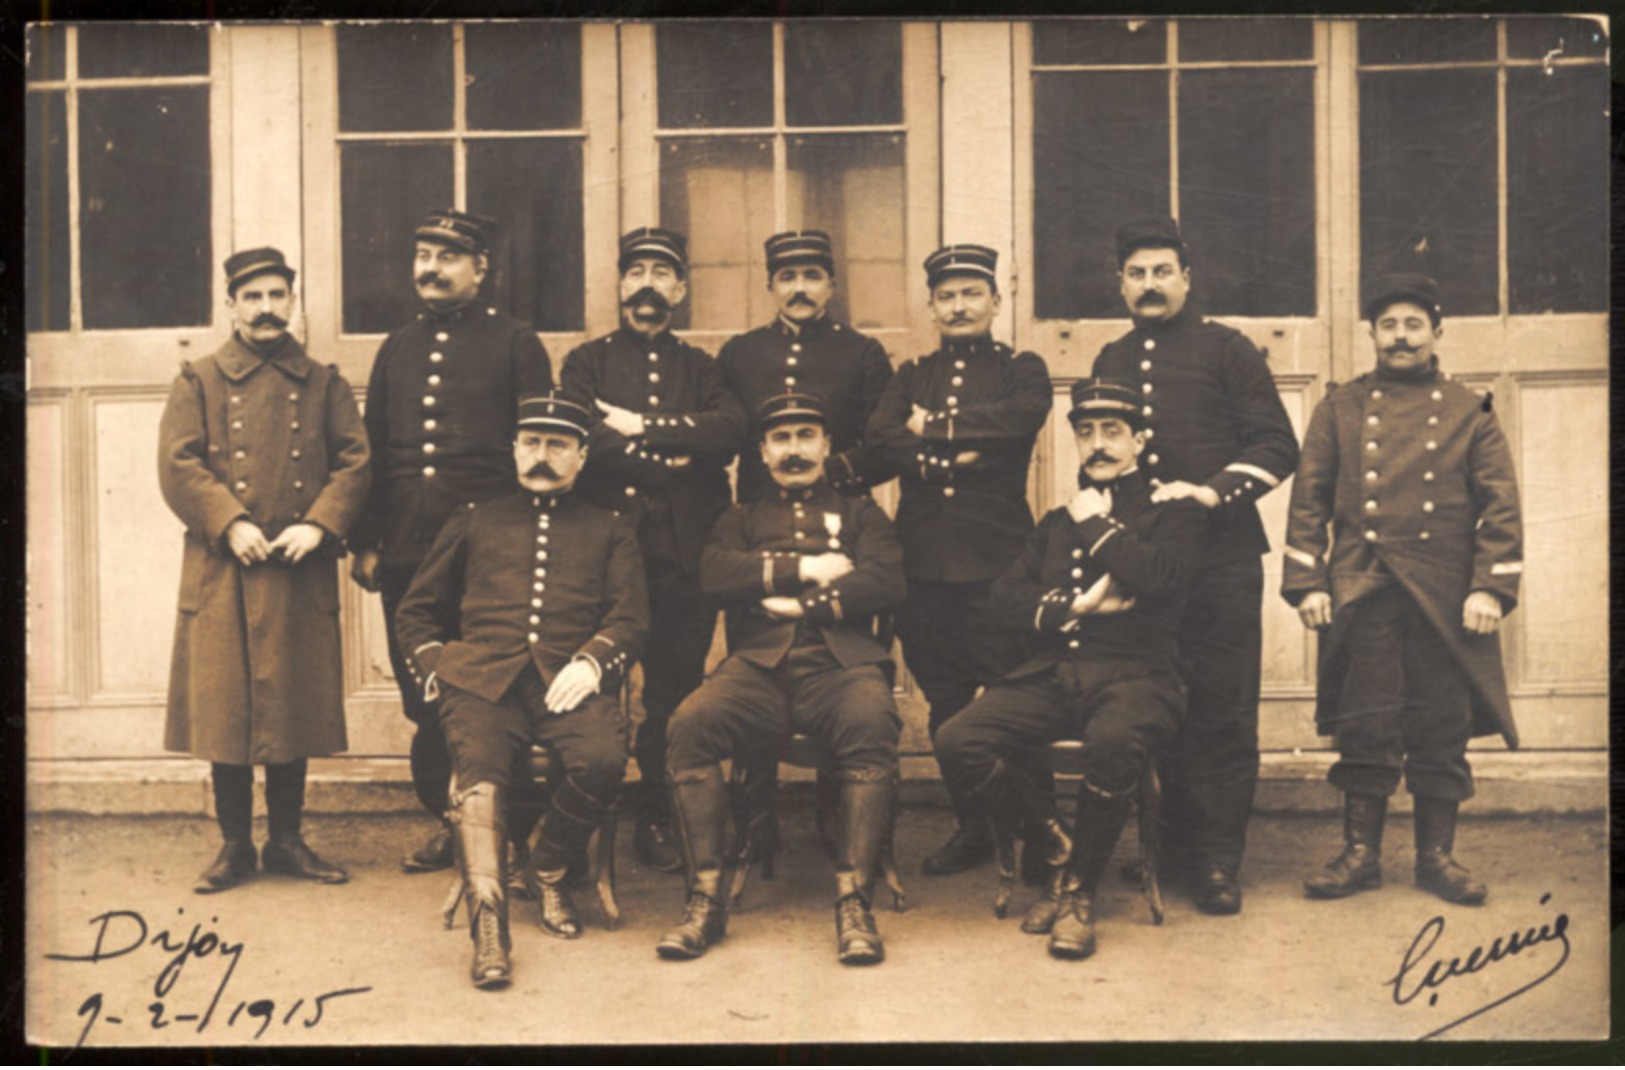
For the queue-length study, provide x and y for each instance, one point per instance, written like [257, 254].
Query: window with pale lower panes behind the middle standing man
[778, 126]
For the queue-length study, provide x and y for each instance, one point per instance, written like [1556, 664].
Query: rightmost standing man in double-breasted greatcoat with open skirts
[1416, 482]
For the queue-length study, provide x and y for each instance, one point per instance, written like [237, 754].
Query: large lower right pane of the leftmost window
[145, 207]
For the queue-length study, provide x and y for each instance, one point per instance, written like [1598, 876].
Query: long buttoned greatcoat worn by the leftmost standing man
[256, 674]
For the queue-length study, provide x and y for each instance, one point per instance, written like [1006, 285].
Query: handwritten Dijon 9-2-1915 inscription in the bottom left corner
[129, 933]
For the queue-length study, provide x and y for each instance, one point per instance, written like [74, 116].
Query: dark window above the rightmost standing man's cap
[1484, 160]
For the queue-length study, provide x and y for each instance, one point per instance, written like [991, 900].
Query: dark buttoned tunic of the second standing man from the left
[441, 407]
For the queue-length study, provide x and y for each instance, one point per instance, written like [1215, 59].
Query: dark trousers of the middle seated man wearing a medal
[748, 711]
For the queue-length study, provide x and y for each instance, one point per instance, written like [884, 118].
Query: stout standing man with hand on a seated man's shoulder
[1218, 433]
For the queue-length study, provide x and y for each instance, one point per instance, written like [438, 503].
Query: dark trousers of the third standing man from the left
[682, 625]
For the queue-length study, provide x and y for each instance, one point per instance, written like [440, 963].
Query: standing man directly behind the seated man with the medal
[808, 352]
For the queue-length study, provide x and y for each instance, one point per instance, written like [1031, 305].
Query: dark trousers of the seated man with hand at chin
[1127, 715]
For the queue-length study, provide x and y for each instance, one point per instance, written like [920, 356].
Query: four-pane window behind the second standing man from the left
[480, 116]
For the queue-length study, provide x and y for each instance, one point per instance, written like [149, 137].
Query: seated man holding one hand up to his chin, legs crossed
[1103, 580]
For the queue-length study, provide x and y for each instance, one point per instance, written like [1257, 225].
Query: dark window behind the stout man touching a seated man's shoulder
[1211, 121]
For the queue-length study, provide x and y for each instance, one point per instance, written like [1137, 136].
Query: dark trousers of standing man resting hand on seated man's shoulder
[1213, 772]
